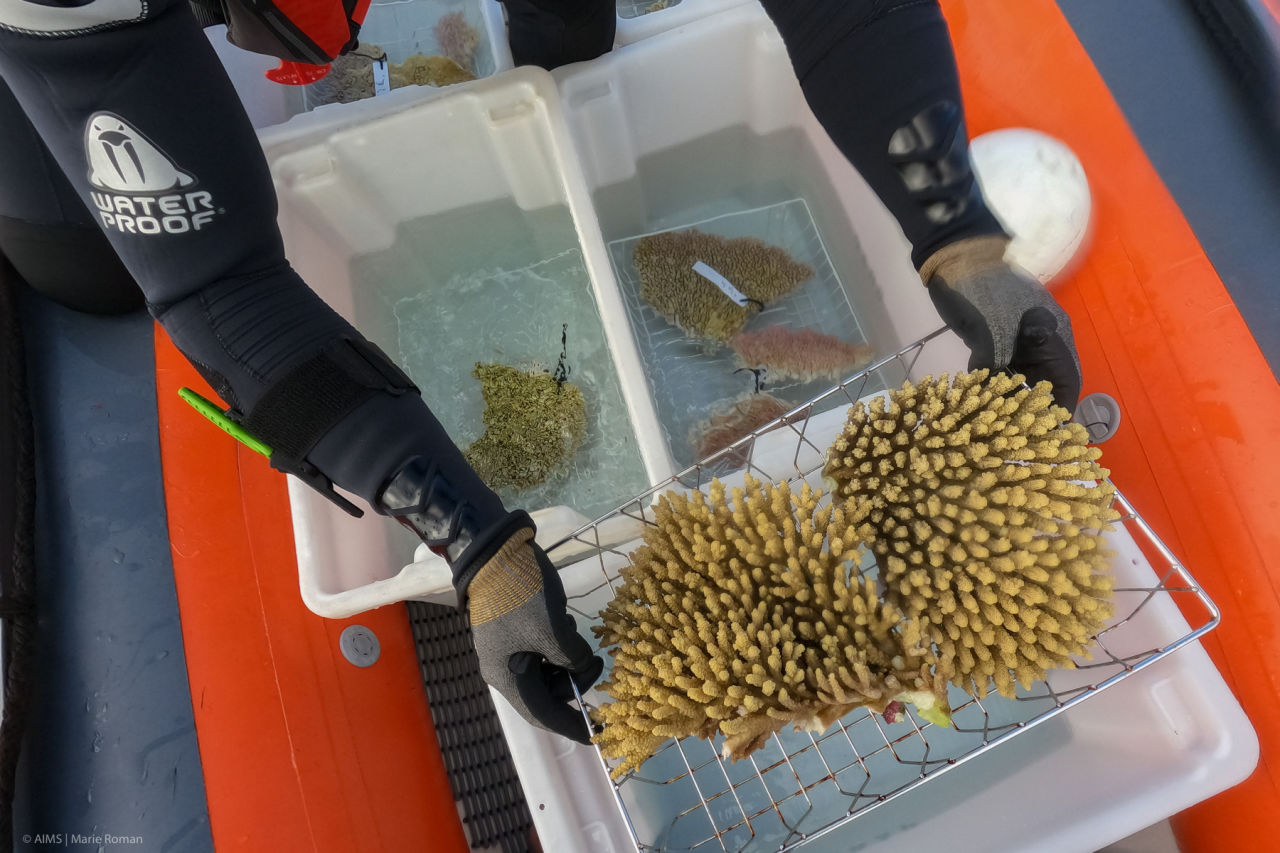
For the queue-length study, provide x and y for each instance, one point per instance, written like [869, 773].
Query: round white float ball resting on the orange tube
[1036, 186]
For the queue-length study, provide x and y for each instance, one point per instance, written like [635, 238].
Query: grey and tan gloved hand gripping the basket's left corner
[528, 644]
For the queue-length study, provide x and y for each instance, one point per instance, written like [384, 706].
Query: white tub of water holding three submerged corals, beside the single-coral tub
[706, 127]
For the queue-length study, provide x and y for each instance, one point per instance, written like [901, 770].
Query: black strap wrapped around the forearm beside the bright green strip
[309, 402]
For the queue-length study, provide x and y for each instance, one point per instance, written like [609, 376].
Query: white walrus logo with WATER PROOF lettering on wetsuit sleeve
[138, 188]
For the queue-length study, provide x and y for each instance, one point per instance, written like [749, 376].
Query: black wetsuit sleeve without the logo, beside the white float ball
[881, 79]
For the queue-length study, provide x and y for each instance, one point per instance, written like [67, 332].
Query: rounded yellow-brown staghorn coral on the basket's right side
[981, 507]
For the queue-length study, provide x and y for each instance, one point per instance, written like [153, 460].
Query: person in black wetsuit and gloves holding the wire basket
[129, 171]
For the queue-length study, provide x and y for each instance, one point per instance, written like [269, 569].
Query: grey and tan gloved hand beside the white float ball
[1004, 317]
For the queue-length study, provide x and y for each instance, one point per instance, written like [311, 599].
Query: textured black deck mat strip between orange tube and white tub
[476, 751]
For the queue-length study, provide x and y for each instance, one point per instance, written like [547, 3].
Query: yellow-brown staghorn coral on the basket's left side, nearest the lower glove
[743, 617]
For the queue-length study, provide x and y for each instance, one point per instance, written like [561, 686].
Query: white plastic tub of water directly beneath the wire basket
[1148, 746]
